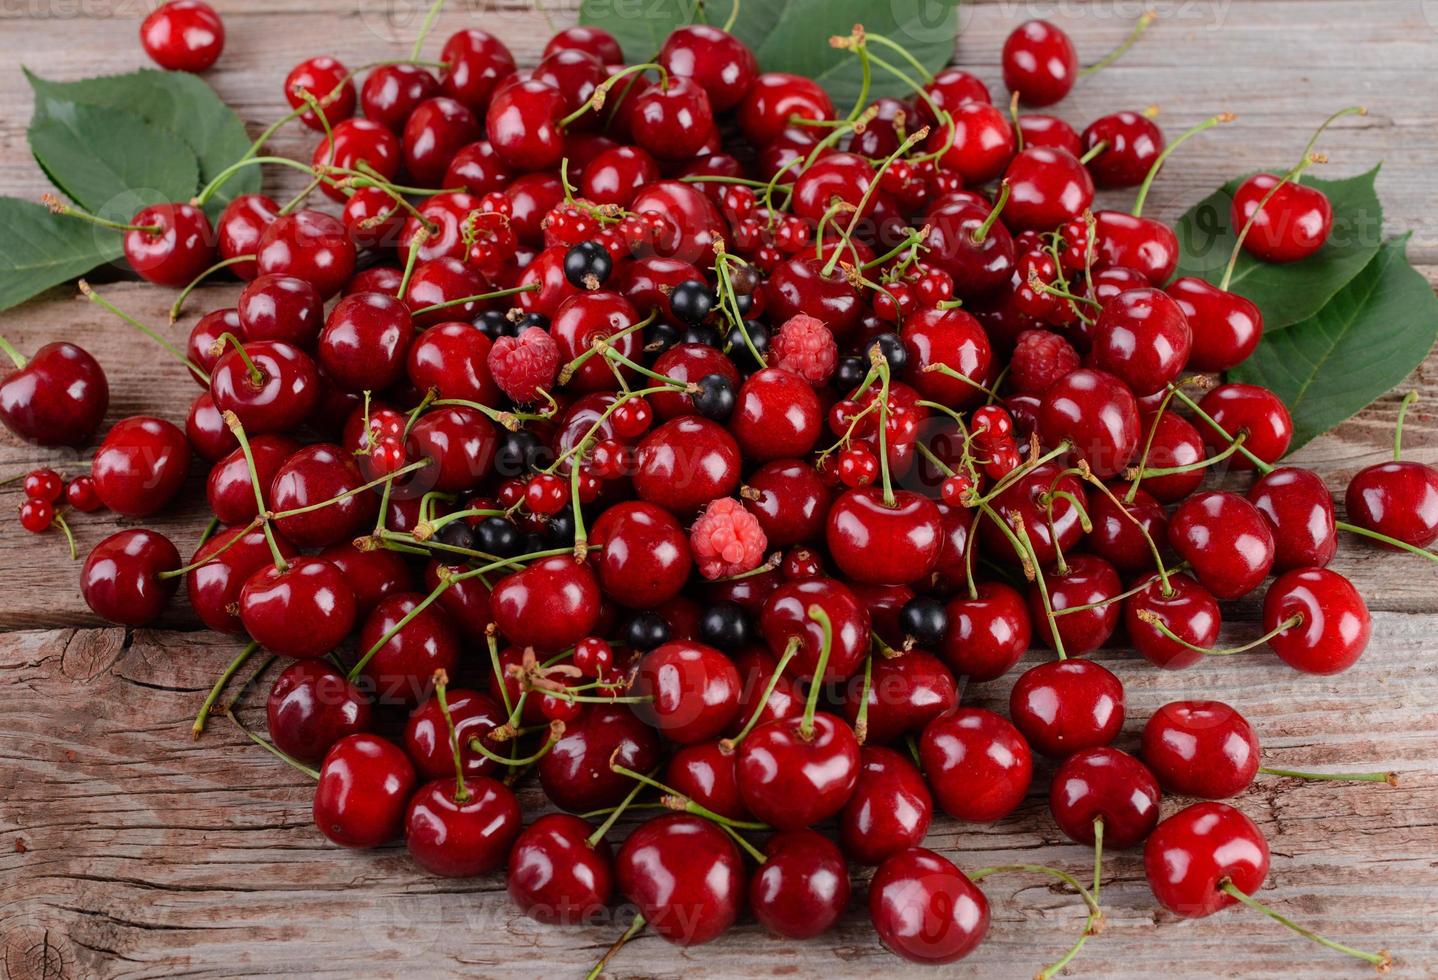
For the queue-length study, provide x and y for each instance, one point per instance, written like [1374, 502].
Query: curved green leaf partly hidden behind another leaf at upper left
[178, 103]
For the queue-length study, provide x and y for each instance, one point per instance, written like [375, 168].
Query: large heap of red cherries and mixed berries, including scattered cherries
[713, 440]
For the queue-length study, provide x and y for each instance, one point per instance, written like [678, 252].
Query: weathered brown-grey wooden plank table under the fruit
[129, 850]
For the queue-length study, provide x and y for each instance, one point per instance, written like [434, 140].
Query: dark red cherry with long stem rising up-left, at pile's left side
[301, 611]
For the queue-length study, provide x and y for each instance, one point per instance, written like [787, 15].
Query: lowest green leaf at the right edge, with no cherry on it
[1370, 337]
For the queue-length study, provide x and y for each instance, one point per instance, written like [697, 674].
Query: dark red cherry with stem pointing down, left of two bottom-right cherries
[1109, 787]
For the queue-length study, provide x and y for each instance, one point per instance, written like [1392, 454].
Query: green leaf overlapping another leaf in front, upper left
[109, 162]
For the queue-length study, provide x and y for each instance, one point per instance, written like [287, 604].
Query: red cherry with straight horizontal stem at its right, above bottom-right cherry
[1203, 749]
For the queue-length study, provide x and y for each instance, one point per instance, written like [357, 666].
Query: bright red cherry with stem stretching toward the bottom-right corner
[1194, 851]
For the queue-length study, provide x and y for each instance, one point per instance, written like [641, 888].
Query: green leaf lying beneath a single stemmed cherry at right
[1291, 292]
